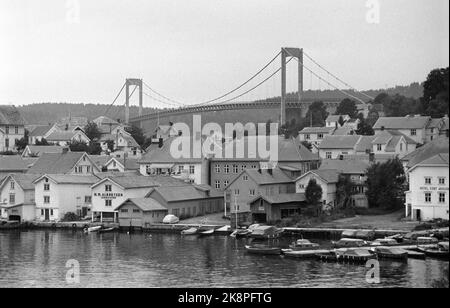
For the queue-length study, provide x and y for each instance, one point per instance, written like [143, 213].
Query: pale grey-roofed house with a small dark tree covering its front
[326, 179]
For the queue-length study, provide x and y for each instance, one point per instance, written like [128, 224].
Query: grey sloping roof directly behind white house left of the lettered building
[56, 163]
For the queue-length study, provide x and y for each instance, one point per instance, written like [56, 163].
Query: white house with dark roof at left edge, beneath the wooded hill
[12, 128]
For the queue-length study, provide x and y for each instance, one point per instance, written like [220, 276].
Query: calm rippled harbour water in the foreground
[38, 258]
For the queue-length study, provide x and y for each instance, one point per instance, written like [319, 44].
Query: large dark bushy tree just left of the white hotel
[385, 184]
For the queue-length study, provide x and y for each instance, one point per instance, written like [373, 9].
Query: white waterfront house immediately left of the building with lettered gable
[59, 194]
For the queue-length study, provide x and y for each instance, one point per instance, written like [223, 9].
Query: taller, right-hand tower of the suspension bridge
[296, 53]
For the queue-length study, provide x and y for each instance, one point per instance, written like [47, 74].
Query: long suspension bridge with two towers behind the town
[274, 93]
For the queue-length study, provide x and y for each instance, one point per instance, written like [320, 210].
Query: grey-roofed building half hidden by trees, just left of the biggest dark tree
[356, 172]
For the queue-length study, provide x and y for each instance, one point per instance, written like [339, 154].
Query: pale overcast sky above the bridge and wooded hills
[82, 51]
